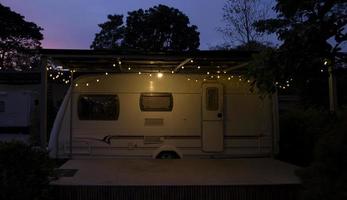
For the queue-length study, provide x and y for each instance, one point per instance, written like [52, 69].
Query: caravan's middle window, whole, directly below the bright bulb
[156, 102]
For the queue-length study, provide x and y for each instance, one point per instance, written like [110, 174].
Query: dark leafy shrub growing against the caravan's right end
[300, 129]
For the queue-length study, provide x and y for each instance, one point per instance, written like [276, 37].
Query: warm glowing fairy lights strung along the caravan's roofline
[58, 73]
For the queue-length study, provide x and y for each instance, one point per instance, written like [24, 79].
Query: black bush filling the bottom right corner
[326, 177]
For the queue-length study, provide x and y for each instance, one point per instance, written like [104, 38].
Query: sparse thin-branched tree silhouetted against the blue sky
[240, 16]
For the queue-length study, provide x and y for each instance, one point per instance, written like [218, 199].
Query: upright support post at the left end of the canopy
[43, 103]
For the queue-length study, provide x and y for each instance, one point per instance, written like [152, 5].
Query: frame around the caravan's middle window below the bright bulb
[156, 94]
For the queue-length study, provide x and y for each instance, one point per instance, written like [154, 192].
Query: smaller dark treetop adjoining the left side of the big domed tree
[111, 34]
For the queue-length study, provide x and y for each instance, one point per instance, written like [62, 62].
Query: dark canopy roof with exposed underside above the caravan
[121, 61]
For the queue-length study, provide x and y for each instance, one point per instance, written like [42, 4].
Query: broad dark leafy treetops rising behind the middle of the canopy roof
[159, 28]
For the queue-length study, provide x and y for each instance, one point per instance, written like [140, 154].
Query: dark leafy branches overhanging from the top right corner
[307, 29]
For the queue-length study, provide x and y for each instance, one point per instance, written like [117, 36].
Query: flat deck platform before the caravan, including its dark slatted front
[248, 179]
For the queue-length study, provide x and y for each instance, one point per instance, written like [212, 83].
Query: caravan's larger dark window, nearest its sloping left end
[98, 107]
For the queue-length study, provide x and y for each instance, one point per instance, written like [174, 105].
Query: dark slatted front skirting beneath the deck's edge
[245, 192]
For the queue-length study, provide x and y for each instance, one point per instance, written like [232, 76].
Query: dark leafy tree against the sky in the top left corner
[16, 36]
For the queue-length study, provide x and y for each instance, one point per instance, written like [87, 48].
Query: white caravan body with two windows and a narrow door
[143, 115]
